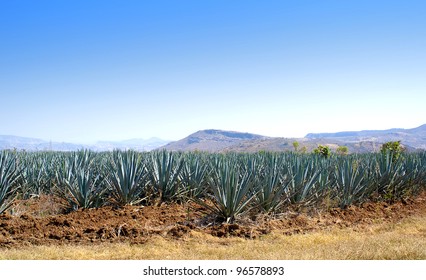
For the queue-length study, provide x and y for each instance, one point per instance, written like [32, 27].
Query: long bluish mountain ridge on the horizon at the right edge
[414, 137]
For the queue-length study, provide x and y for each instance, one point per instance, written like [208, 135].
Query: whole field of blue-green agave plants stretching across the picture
[227, 185]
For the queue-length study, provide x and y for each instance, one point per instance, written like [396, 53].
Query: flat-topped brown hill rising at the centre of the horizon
[212, 140]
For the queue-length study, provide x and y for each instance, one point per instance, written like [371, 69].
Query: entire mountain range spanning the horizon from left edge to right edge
[214, 140]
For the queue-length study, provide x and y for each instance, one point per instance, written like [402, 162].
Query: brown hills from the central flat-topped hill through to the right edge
[356, 141]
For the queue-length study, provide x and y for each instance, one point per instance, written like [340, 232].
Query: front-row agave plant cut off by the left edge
[9, 176]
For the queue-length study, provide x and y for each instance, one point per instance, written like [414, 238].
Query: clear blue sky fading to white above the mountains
[83, 71]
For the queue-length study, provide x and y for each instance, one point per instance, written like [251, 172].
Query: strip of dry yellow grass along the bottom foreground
[404, 240]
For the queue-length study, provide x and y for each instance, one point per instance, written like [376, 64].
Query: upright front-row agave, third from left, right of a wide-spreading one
[127, 177]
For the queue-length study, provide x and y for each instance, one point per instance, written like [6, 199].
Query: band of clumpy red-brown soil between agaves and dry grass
[38, 222]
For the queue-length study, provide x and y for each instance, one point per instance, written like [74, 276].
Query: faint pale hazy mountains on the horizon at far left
[34, 144]
